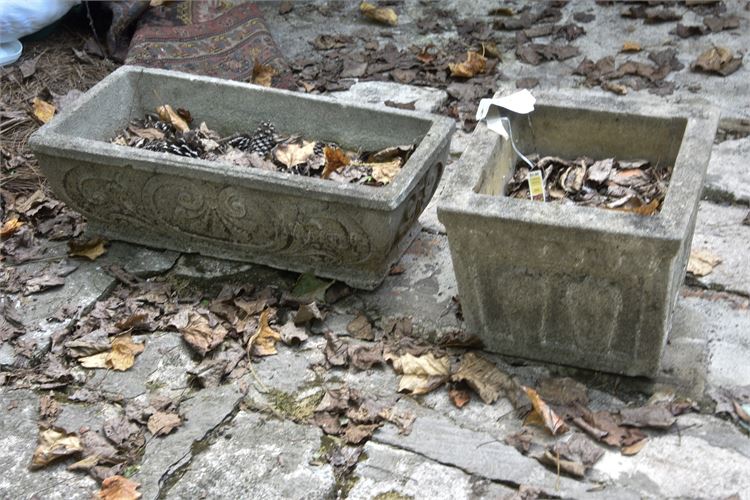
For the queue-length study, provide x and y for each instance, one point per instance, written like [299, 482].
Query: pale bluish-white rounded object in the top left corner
[19, 18]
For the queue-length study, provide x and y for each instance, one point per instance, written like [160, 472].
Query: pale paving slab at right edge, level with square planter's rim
[728, 177]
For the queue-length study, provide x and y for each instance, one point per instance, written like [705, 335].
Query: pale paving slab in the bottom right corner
[697, 463]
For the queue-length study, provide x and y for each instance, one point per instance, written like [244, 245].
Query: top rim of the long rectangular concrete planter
[49, 140]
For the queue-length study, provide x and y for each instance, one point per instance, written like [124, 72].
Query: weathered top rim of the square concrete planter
[668, 226]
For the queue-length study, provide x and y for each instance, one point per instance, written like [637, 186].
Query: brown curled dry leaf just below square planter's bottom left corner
[486, 379]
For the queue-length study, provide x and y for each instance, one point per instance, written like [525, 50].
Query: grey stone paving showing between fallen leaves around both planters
[234, 445]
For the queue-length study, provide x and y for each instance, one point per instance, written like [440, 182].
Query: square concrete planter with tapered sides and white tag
[575, 285]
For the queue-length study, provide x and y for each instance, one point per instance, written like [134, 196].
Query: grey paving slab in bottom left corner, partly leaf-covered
[19, 413]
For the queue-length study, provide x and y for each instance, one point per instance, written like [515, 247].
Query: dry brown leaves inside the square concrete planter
[634, 186]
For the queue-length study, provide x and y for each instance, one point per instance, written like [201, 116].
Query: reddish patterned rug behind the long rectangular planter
[220, 38]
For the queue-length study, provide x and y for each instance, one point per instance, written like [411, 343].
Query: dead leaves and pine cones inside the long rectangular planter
[168, 131]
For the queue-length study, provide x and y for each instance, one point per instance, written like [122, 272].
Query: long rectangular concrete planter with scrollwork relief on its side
[343, 231]
